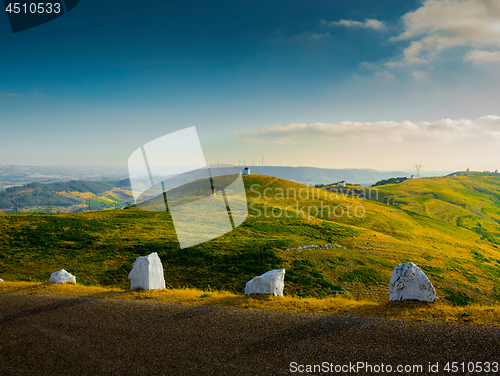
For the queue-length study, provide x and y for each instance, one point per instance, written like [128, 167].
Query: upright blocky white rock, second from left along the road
[147, 273]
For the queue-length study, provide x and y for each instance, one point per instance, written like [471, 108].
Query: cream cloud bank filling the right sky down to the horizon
[444, 145]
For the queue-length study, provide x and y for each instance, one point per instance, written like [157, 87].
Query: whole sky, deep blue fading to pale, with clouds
[381, 84]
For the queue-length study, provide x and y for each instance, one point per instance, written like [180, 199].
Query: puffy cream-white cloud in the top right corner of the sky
[442, 24]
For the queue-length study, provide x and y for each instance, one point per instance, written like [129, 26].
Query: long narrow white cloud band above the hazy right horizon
[486, 127]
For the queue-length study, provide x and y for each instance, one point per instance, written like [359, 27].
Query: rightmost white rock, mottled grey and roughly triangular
[408, 282]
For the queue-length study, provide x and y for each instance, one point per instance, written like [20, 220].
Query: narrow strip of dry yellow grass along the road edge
[439, 311]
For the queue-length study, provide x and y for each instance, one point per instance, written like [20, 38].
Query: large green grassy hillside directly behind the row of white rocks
[371, 238]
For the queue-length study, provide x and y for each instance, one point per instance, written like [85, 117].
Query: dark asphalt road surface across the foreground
[42, 335]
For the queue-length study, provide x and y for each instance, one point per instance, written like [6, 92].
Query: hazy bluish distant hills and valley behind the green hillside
[71, 188]
